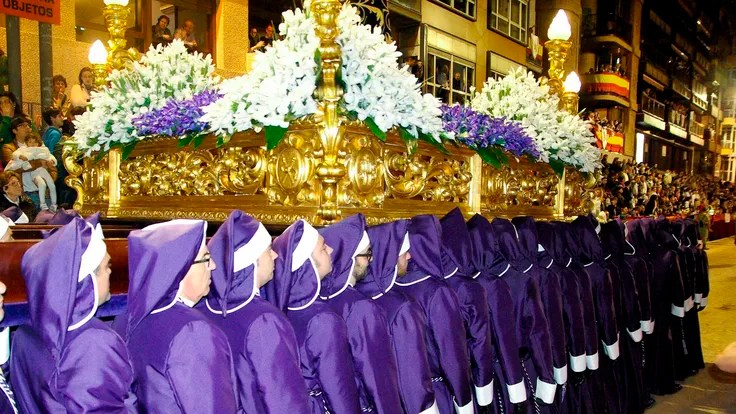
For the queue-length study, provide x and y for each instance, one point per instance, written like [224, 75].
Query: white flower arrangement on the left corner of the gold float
[163, 74]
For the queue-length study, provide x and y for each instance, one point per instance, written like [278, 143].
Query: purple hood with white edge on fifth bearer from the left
[347, 238]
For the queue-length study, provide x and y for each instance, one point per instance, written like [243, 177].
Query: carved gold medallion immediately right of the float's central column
[363, 184]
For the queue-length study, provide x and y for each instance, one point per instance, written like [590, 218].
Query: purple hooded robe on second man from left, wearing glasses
[182, 361]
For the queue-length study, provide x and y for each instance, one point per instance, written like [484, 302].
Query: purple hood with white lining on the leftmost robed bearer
[60, 281]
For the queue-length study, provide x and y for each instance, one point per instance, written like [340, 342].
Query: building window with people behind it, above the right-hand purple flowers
[449, 77]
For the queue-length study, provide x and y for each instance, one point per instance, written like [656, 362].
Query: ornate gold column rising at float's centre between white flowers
[328, 93]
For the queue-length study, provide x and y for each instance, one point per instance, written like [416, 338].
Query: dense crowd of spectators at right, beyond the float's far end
[628, 189]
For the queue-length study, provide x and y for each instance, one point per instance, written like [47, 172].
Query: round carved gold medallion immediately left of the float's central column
[291, 171]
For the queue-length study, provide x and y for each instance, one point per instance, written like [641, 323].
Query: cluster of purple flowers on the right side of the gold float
[478, 130]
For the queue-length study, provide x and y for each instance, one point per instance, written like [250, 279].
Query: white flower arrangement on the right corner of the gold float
[561, 138]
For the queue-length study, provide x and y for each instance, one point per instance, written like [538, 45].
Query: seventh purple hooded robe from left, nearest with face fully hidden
[446, 346]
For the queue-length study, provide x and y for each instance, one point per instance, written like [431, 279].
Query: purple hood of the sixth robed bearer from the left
[389, 241]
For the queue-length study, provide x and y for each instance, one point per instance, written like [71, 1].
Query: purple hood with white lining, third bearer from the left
[235, 248]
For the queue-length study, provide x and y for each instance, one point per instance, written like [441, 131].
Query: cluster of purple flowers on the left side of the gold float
[176, 118]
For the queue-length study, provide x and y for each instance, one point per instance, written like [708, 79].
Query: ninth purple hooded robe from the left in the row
[491, 265]
